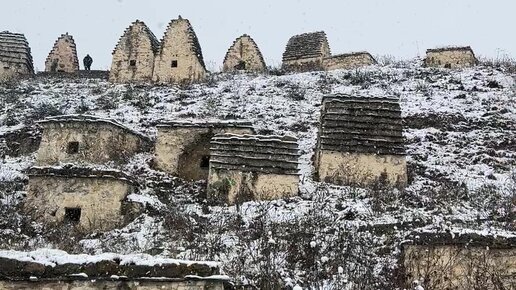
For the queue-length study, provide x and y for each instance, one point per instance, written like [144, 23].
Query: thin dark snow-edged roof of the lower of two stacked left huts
[71, 171]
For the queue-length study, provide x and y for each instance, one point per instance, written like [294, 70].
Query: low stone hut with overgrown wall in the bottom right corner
[460, 261]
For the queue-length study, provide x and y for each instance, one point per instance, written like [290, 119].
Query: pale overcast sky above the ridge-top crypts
[402, 28]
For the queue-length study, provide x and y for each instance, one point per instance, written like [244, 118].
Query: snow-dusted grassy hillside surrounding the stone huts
[460, 128]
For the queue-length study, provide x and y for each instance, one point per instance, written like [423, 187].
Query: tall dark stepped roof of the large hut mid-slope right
[361, 125]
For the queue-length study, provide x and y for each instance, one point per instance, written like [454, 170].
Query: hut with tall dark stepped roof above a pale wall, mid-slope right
[360, 141]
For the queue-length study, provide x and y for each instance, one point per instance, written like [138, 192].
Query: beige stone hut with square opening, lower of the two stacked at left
[90, 199]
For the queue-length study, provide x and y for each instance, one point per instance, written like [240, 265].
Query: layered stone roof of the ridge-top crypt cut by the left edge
[14, 48]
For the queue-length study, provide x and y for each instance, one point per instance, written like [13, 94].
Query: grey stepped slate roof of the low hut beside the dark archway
[255, 153]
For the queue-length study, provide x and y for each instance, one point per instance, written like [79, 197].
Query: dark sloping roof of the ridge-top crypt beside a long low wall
[306, 45]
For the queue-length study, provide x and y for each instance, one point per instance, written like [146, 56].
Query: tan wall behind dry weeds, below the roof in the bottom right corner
[459, 267]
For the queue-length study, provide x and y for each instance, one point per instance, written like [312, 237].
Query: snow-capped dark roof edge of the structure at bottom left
[57, 264]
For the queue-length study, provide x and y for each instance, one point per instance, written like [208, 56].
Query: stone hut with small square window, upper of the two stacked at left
[87, 139]
